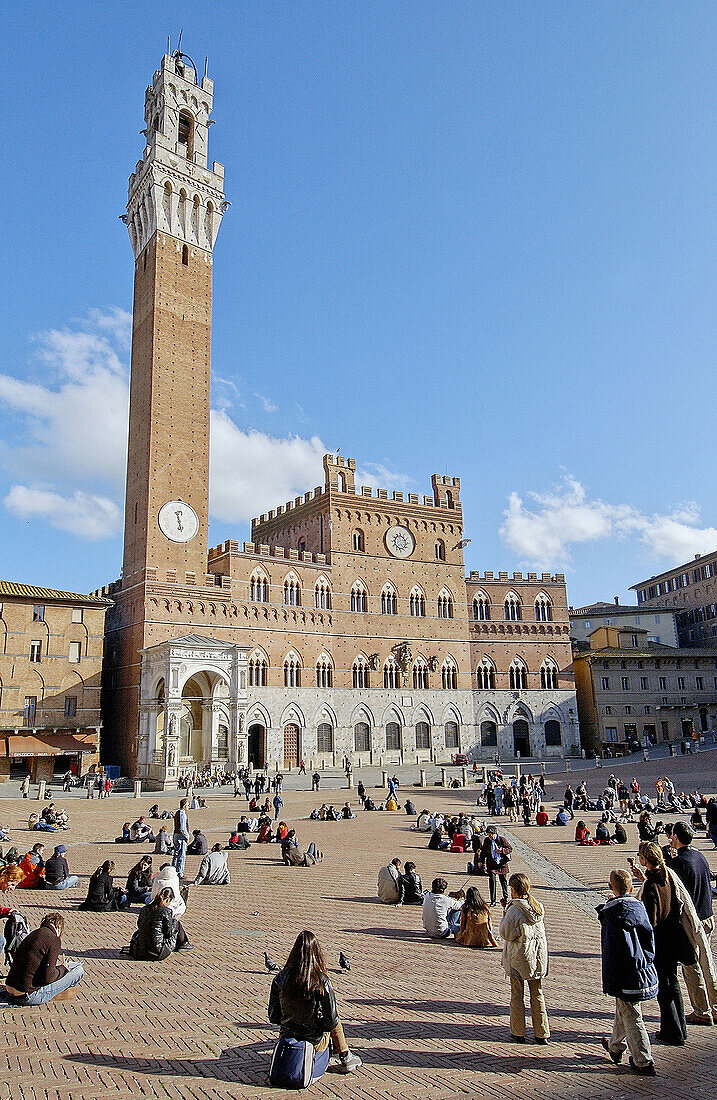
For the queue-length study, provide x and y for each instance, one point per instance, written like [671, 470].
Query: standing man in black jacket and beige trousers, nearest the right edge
[693, 871]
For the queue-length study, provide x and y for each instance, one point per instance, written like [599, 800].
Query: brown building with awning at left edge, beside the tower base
[51, 662]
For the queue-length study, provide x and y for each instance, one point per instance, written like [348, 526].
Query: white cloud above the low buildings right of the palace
[544, 534]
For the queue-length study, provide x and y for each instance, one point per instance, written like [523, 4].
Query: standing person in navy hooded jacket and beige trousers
[630, 974]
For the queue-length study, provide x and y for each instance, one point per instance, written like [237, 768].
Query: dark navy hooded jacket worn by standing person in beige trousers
[628, 950]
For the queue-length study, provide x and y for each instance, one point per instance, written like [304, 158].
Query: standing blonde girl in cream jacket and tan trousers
[525, 959]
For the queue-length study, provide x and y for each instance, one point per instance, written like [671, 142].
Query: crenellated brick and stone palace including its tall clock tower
[347, 628]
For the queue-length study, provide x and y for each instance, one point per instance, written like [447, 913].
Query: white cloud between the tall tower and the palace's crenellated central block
[252, 472]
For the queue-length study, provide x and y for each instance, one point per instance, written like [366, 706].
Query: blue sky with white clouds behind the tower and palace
[475, 239]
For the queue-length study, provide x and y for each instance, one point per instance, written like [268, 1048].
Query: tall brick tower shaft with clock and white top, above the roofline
[175, 207]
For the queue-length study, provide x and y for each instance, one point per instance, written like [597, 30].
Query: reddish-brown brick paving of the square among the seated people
[428, 1019]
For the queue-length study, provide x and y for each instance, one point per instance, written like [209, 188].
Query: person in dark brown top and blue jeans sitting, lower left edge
[40, 972]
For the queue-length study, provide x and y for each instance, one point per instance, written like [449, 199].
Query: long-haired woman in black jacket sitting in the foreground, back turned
[303, 1004]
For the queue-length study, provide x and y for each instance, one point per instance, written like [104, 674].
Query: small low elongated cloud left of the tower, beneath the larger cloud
[82, 514]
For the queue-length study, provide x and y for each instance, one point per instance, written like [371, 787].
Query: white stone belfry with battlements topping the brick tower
[172, 190]
